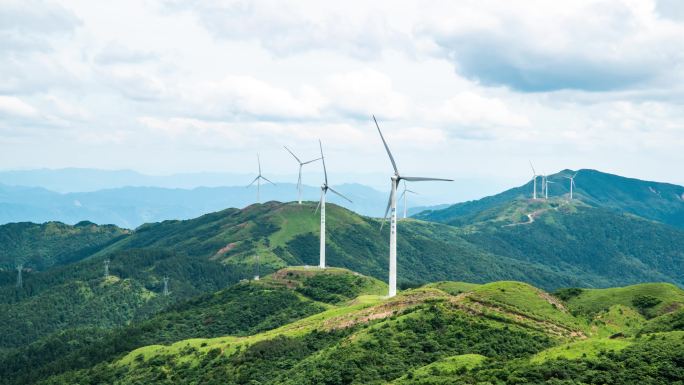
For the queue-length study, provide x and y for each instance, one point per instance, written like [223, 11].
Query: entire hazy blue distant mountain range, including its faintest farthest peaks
[128, 198]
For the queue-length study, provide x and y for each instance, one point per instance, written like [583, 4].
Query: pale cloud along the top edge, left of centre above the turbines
[287, 28]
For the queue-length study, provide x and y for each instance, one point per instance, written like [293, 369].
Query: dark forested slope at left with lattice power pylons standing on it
[77, 295]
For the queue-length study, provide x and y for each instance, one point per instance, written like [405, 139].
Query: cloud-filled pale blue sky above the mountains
[463, 89]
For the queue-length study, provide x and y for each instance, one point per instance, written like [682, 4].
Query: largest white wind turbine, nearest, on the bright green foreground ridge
[392, 204]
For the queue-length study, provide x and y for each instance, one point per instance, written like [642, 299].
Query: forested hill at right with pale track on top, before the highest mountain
[603, 247]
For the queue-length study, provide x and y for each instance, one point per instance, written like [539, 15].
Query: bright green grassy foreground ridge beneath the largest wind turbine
[446, 332]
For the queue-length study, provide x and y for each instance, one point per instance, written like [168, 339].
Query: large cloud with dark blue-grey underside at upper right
[591, 46]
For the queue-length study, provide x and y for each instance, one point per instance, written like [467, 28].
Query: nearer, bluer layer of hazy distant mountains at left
[130, 207]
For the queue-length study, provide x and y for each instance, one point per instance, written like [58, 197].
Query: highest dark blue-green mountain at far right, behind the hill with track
[661, 202]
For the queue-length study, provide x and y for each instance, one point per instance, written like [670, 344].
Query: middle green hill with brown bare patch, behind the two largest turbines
[283, 234]
